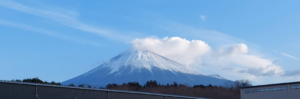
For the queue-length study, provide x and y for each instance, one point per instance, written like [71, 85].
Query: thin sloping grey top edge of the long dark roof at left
[107, 90]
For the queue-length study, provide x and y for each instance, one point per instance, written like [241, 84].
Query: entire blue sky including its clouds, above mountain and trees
[56, 40]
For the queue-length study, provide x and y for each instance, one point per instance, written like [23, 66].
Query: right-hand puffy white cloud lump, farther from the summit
[237, 55]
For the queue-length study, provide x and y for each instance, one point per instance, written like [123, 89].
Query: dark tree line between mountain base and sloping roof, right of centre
[231, 90]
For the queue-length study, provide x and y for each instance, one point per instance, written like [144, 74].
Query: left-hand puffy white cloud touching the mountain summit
[175, 48]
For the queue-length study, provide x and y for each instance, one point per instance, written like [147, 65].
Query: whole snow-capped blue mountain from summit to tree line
[142, 66]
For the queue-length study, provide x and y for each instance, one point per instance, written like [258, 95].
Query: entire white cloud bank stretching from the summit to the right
[231, 62]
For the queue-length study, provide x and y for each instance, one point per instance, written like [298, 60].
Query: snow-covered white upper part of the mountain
[139, 59]
